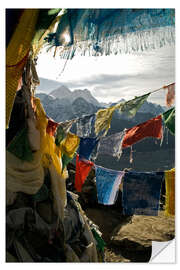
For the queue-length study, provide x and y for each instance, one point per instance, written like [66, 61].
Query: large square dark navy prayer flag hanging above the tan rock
[141, 193]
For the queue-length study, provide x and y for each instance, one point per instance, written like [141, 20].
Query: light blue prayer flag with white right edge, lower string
[107, 184]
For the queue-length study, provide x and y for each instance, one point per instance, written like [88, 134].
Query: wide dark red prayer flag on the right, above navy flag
[150, 128]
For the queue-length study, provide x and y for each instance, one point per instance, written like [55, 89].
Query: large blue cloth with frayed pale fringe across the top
[110, 31]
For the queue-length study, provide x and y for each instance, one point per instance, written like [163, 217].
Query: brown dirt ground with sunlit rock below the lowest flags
[129, 239]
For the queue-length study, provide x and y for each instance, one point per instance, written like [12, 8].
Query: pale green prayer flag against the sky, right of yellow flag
[132, 106]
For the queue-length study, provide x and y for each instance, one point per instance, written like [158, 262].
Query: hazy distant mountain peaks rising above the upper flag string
[63, 104]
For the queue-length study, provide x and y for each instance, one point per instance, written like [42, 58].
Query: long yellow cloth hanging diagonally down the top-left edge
[16, 55]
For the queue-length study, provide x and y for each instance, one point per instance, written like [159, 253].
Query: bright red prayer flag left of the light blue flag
[83, 168]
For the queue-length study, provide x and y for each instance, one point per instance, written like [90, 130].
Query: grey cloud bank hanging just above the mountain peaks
[108, 88]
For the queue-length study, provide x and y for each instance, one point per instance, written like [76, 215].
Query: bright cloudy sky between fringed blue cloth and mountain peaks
[111, 78]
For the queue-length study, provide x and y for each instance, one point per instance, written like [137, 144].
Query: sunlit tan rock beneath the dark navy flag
[145, 229]
